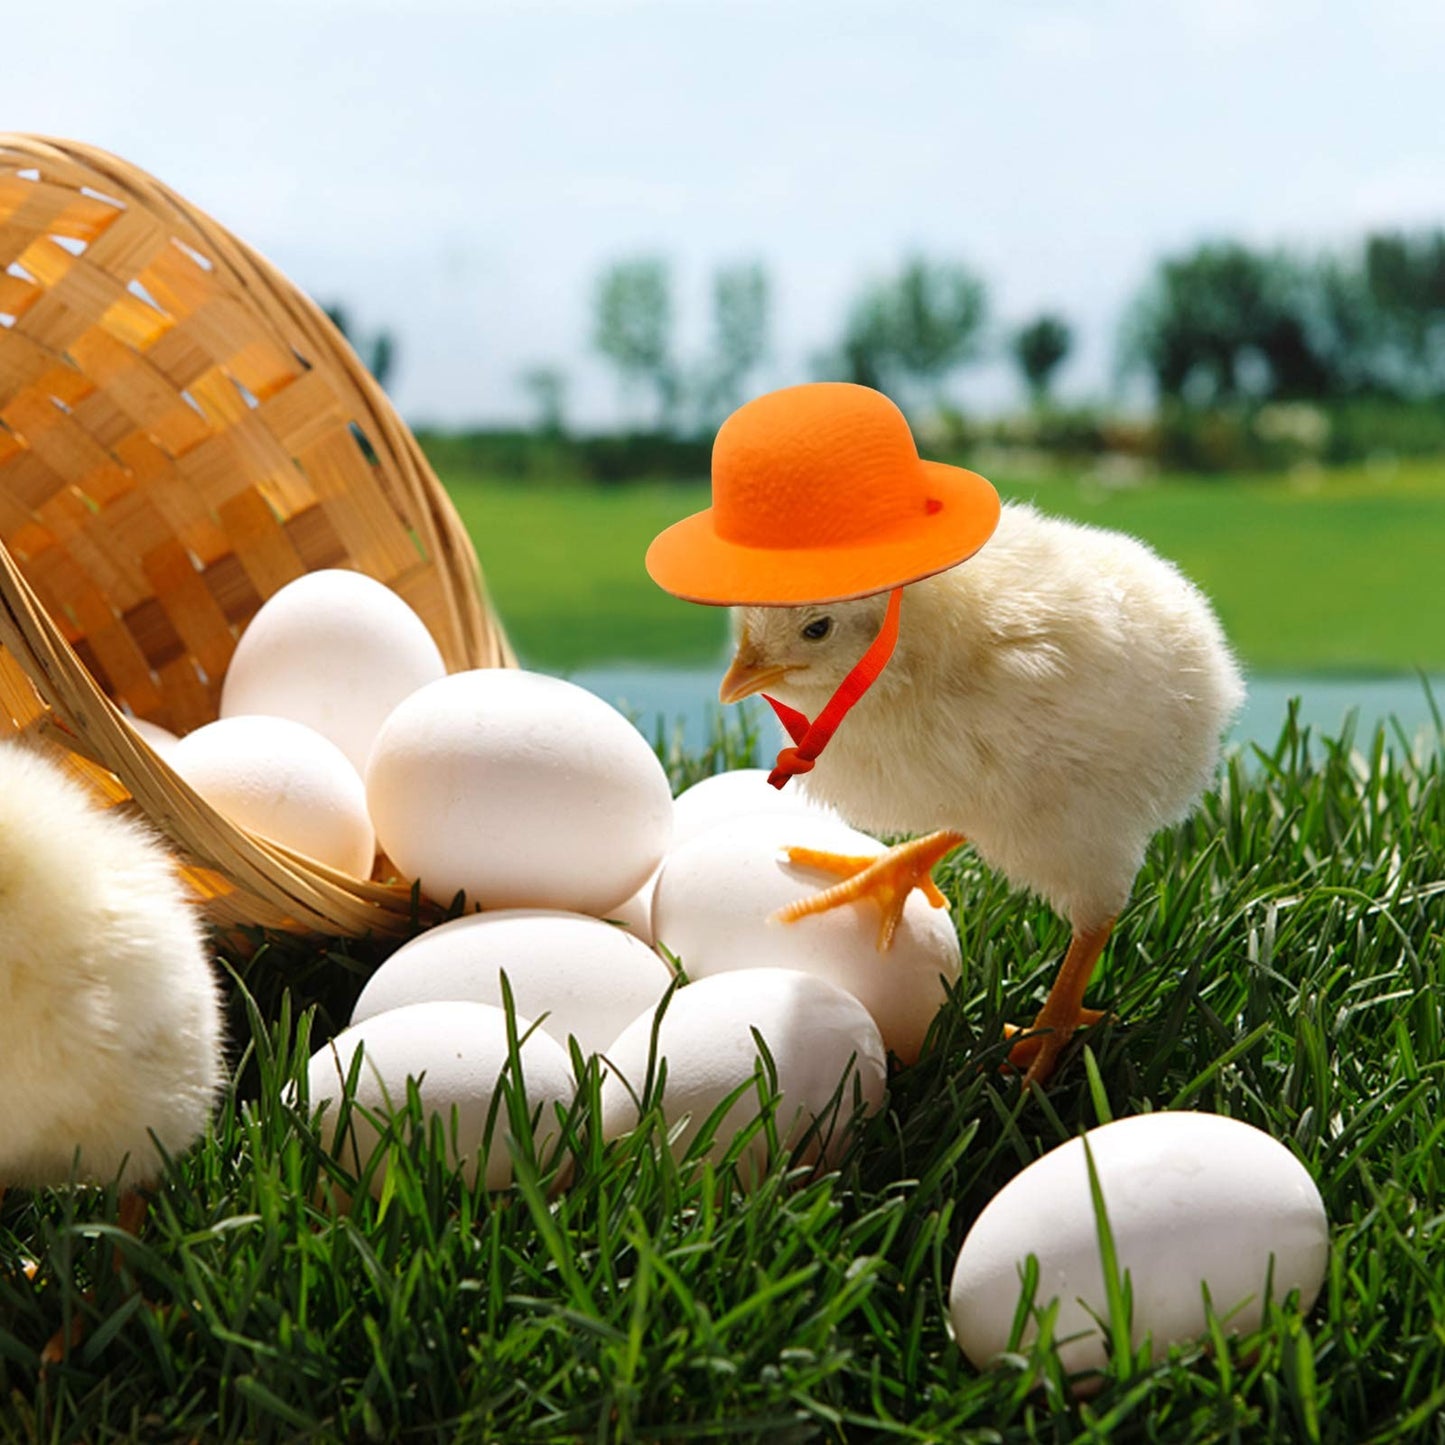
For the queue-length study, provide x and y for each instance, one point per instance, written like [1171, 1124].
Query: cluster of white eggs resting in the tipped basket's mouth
[340, 732]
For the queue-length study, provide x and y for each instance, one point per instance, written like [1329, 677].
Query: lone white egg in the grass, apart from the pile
[1191, 1199]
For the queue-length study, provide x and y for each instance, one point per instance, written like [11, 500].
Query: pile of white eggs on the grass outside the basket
[829, 1006]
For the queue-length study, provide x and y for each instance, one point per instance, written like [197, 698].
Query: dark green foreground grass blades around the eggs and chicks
[1282, 962]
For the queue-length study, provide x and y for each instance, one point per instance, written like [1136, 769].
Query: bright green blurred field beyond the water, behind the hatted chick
[1342, 574]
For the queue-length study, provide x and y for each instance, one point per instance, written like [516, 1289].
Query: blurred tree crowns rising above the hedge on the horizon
[1217, 326]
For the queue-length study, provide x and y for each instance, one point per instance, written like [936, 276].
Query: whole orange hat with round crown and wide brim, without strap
[819, 495]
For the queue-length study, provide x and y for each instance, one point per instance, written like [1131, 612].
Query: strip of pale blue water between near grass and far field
[689, 696]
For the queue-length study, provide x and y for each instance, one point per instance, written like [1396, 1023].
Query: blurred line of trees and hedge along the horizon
[1228, 339]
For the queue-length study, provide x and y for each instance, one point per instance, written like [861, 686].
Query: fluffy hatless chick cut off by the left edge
[111, 1018]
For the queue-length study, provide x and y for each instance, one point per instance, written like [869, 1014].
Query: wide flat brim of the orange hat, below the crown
[691, 561]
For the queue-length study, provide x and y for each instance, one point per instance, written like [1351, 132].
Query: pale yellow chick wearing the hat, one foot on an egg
[1056, 700]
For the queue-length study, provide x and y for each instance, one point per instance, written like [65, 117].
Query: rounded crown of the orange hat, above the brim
[816, 466]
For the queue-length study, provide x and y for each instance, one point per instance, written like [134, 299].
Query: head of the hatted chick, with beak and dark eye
[800, 654]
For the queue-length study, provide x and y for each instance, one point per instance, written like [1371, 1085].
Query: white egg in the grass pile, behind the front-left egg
[574, 975]
